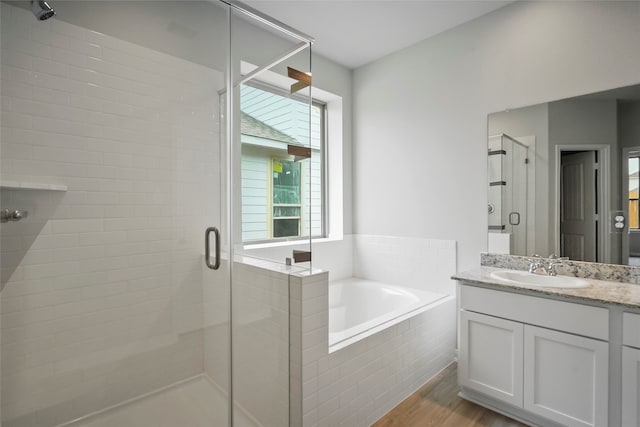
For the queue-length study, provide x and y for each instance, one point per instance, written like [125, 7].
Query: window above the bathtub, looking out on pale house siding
[281, 198]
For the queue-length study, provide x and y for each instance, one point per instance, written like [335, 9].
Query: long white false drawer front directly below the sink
[574, 318]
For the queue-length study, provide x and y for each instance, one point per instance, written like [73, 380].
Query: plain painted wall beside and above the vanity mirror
[420, 115]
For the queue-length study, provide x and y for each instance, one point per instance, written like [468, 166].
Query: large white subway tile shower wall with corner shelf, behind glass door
[102, 284]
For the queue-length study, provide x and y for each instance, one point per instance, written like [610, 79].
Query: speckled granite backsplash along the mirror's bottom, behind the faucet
[588, 270]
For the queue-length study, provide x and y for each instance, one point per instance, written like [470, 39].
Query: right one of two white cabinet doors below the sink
[566, 377]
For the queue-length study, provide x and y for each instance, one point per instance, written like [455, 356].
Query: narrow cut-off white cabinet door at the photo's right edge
[630, 385]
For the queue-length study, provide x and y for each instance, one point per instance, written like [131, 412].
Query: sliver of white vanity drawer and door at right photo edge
[630, 369]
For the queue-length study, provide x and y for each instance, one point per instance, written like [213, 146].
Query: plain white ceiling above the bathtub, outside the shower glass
[356, 32]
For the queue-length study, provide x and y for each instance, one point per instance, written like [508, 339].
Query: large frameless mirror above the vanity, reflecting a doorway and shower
[562, 178]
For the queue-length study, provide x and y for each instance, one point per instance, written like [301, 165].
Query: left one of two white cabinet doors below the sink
[490, 359]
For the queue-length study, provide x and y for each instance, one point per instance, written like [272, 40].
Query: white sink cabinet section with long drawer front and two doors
[543, 359]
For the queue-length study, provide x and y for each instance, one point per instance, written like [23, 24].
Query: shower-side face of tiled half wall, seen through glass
[260, 338]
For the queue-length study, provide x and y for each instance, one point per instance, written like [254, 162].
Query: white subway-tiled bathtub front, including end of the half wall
[358, 384]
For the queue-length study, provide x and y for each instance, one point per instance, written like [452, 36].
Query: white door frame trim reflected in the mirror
[604, 201]
